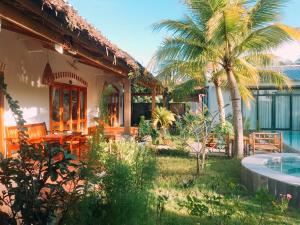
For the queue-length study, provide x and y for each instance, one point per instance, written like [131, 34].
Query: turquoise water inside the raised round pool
[285, 165]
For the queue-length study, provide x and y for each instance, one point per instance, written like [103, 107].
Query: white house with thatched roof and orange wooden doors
[57, 66]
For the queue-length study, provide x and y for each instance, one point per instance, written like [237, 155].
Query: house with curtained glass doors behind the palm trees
[271, 109]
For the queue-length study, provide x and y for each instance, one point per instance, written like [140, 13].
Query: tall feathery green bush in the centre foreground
[118, 190]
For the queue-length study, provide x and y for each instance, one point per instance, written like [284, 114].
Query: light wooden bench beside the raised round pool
[266, 141]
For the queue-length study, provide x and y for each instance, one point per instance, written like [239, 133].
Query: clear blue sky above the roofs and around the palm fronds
[128, 23]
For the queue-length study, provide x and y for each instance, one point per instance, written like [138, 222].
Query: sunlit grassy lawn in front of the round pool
[215, 197]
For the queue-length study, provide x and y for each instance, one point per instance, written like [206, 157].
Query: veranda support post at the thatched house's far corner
[127, 106]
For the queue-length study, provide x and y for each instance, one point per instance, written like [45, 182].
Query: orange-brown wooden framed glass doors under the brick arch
[68, 105]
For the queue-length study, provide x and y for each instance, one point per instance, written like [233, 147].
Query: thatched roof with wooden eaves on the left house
[56, 21]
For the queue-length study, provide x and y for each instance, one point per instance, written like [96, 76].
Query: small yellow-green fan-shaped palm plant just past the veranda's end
[163, 119]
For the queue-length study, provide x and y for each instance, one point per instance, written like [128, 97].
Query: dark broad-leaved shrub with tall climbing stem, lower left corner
[41, 183]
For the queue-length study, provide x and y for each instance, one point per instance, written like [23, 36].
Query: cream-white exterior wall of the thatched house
[26, 58]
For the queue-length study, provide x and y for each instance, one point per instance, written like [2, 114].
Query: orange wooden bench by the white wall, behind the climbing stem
[35, 133]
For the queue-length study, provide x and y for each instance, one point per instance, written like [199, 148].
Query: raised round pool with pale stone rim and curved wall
[279, 173]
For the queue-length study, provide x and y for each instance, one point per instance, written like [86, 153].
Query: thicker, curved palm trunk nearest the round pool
[237, 114]
